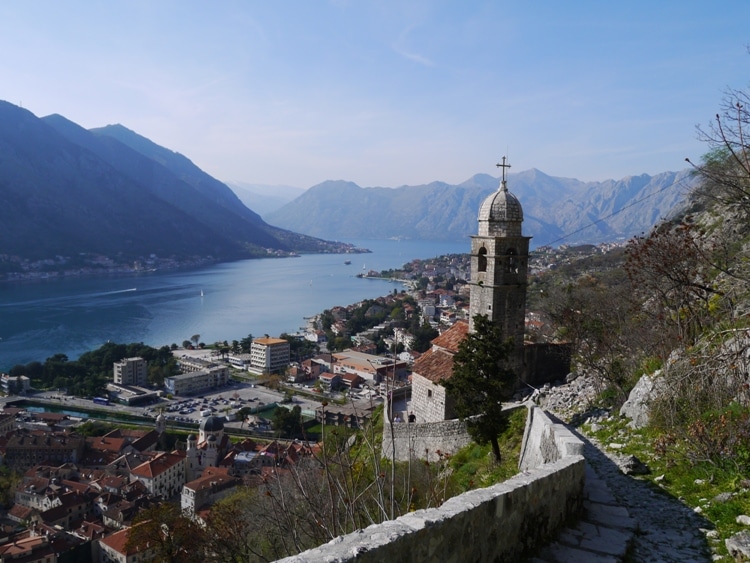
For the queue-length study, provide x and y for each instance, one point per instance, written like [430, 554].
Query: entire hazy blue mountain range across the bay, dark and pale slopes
[78, 198]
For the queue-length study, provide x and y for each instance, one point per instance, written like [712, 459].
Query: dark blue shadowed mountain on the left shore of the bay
[73, 197]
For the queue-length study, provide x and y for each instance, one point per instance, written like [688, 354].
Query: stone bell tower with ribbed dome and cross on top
[499, 267]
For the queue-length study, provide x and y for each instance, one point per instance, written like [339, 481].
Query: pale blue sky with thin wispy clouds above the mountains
[386, 93]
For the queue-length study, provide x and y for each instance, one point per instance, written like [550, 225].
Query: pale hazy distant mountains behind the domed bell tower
[555, 209]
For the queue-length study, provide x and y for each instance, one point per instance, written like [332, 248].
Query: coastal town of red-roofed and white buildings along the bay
[210, 430]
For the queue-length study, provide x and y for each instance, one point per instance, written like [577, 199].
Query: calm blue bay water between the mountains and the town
[255, 297]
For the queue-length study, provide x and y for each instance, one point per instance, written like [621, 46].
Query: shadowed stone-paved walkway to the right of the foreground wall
[625, 519]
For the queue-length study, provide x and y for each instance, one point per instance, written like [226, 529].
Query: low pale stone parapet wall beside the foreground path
[498, 523]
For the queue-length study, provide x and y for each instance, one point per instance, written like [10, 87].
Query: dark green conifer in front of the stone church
[481, 382]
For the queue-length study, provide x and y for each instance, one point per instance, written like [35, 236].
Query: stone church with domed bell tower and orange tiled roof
[499, 273]
